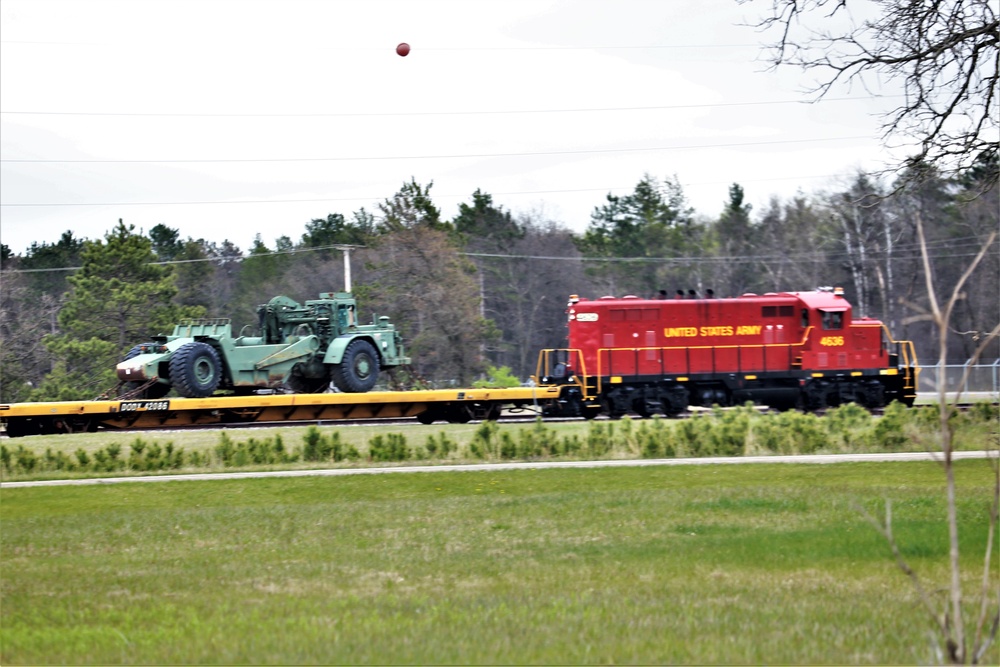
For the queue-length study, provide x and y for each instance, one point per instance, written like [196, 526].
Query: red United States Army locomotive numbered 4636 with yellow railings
[786, 350]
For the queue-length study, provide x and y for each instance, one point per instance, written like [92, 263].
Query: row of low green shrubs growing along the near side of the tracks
[741, 431]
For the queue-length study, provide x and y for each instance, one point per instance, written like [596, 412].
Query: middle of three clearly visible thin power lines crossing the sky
[591, 151]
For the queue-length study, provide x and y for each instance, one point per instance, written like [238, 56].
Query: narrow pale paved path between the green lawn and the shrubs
[539, 465]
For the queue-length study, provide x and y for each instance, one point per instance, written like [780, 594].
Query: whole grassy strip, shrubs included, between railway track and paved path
[738, 432]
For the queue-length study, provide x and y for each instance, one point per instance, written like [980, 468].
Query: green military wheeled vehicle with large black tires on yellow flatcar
[299, 347]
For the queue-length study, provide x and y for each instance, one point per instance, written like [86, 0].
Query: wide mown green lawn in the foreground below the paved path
[715, 564]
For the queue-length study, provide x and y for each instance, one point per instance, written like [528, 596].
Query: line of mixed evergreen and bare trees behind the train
[488, 288]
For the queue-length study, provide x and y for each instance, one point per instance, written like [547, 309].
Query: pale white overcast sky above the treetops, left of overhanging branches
[229, 119]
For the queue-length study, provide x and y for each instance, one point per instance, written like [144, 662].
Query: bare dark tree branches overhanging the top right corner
[943, 55]
